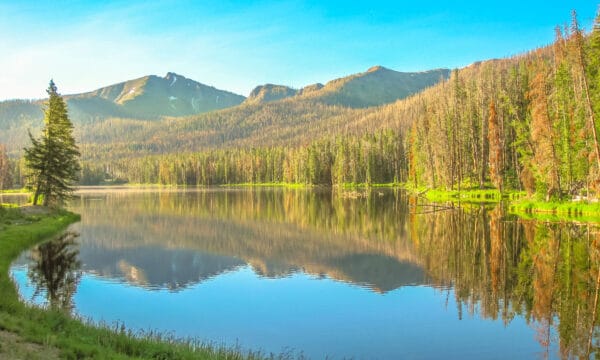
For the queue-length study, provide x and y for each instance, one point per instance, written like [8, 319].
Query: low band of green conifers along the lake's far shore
[371, 158]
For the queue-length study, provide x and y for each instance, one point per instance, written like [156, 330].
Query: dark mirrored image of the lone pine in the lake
[55, 270]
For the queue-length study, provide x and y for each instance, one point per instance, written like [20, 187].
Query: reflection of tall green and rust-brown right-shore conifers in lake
[502, 267]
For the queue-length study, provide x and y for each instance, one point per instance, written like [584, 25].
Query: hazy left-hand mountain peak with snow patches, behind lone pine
[149, 97]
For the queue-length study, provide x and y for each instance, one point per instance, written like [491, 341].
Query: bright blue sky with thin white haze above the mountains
[236, 45]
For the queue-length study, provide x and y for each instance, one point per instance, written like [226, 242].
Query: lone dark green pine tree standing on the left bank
[53, 159]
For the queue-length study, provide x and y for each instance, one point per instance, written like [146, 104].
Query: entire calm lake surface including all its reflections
[379, 276]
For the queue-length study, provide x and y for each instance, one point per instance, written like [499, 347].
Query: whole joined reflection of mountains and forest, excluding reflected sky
[498, 266]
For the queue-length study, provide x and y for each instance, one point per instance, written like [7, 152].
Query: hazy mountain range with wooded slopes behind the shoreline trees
[112, 122]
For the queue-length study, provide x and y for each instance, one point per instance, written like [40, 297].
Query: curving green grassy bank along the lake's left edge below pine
[53, 329]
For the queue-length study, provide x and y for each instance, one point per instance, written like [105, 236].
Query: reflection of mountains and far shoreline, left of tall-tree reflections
[173, 240]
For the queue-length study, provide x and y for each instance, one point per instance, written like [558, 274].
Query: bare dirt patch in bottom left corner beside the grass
[13, 347]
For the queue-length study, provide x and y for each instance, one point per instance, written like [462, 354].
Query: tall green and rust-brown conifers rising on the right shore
[525, 123]
